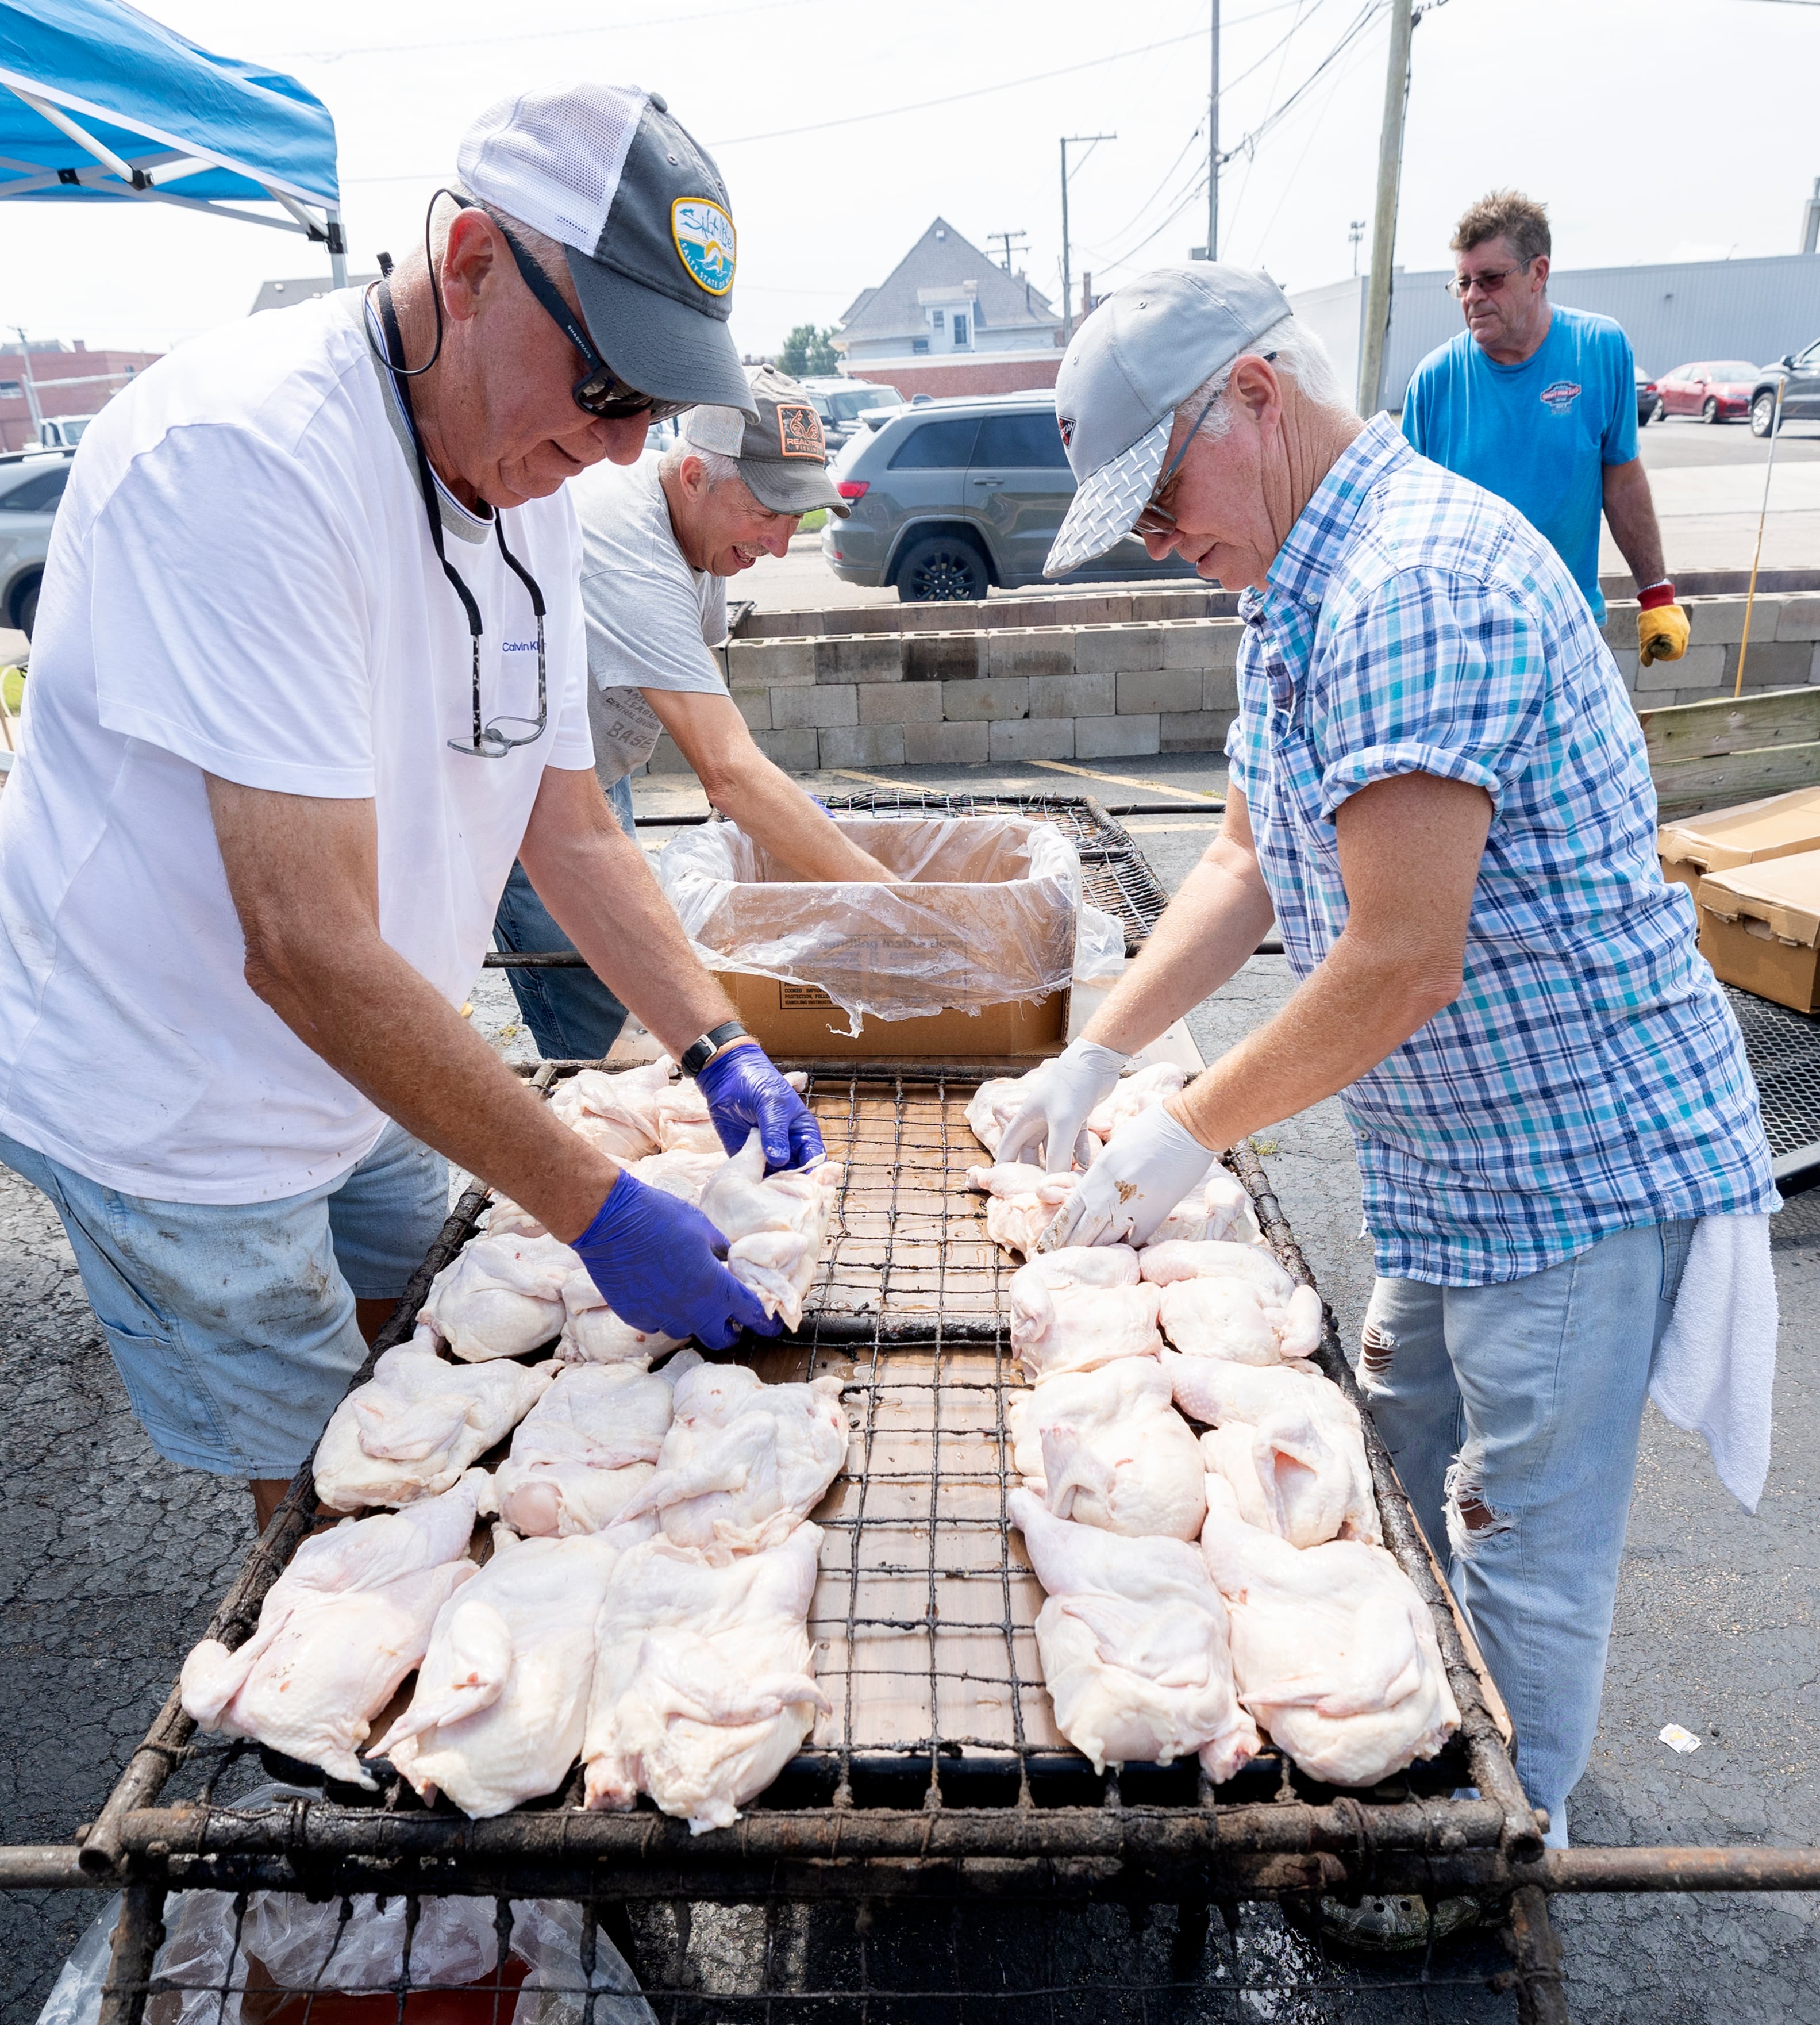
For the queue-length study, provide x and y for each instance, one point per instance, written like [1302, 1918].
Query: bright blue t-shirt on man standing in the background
[1538, 434]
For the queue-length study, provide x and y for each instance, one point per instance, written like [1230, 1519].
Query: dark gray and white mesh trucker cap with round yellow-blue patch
[643, 216]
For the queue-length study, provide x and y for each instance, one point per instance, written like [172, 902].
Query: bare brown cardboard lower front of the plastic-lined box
[801, 1022]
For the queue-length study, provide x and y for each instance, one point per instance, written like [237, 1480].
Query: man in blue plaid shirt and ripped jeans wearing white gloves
[1440, 791]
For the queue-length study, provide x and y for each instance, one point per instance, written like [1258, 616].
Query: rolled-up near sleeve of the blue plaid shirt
[1428, 675]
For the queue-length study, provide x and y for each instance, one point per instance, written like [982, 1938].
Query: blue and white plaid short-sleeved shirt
[1590, 1076]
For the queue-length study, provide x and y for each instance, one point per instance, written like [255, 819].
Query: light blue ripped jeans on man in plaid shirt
[1513, 1416]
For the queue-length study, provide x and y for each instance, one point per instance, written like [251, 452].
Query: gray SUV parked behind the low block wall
[961, 495]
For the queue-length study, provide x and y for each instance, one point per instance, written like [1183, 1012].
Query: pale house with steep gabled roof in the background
[950, 321]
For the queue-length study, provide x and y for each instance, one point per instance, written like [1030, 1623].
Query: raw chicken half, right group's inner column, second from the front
[1108, 1449]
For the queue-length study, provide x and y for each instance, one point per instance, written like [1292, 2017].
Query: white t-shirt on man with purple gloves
[242, 584]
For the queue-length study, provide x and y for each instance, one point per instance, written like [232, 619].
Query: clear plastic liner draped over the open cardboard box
[987, 910]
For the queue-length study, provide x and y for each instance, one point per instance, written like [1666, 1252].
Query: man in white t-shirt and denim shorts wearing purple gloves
[309, 675]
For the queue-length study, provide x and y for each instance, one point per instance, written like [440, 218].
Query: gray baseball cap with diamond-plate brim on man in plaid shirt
[1131, 368]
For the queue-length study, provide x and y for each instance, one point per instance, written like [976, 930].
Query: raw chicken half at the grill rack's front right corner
[1333, 1649]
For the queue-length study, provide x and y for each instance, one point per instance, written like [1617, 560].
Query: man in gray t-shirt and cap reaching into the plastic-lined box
[659, 542]
